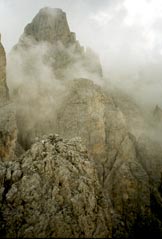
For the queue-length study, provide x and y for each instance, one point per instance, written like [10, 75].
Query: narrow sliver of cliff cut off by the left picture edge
[8, 128]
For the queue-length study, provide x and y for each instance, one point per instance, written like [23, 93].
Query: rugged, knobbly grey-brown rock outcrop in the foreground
[53, 191]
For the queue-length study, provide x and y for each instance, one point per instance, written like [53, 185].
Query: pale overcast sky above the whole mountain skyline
[127, 34]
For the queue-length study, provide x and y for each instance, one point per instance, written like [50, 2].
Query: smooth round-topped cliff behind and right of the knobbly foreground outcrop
[90, 112]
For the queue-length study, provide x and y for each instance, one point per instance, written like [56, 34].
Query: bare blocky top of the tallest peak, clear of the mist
[51, 25]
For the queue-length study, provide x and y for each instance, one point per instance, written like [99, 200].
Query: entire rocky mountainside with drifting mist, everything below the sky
[101, 178]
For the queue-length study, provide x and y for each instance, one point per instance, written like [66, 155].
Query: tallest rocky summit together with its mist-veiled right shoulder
[63, 52]
